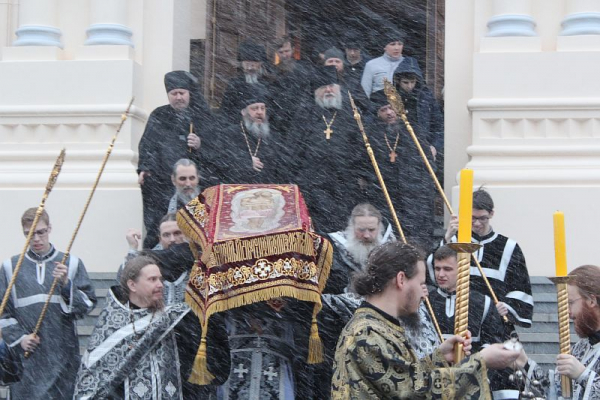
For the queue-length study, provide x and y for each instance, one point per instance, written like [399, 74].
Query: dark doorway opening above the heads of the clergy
[314, 22]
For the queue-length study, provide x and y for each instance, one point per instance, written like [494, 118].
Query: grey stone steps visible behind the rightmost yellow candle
[541, 340]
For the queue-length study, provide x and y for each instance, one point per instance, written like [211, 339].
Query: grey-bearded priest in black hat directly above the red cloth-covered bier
[249, 150]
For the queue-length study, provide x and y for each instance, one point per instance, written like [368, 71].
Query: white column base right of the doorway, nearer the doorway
[511, 18]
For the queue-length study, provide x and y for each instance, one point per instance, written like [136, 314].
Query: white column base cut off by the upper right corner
[583, 18]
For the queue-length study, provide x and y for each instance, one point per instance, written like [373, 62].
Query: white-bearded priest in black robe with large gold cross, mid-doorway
[327, 149]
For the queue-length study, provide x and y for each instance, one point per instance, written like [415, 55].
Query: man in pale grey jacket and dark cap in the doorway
[383, 67]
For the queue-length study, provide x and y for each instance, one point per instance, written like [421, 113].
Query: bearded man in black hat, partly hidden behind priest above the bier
[252, 57]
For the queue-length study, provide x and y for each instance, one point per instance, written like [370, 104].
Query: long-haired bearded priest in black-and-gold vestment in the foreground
[374, 359]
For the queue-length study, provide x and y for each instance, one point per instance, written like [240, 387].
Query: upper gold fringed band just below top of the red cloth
[239, 250]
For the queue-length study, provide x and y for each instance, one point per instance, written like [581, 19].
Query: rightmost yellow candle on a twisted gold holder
[561, 281]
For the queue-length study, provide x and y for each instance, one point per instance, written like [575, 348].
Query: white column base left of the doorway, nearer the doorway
[109, 23]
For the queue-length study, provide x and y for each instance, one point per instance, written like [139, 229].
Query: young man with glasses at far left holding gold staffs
[50, 370]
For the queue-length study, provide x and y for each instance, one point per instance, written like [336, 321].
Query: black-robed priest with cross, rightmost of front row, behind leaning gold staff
[404, 172]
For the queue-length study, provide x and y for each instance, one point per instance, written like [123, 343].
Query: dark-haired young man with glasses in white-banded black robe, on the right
[502, 262]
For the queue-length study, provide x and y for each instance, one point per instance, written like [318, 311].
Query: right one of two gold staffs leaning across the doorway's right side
[398, 106]
